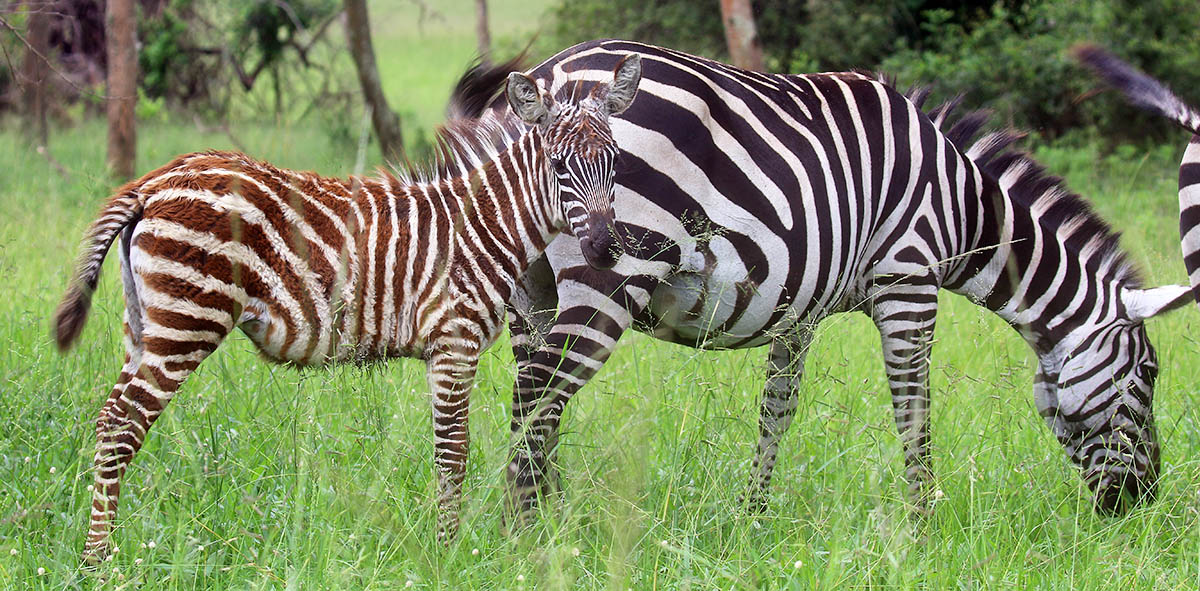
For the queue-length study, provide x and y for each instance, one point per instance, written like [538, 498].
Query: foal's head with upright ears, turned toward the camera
[581, 153]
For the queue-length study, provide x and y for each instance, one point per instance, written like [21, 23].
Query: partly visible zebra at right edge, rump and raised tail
[1153, 95]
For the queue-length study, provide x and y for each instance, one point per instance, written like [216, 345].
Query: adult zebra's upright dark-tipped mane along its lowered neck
[1071, 217]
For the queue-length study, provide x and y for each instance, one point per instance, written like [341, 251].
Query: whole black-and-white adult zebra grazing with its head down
[752, 206]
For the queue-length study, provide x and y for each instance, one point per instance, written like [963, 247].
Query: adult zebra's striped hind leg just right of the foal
[574, 349]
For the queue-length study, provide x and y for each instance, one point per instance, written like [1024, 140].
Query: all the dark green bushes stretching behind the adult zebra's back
[1010, 56]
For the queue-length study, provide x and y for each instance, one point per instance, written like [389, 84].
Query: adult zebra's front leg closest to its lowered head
[905, 313]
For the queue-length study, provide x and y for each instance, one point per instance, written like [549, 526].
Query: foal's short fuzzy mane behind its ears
[461, 146]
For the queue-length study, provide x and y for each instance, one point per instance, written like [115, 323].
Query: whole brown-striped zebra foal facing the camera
[317, 271]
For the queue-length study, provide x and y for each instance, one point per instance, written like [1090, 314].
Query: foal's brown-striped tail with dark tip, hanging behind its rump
[123, 210]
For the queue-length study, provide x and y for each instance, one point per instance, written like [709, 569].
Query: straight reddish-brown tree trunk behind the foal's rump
[121, 34]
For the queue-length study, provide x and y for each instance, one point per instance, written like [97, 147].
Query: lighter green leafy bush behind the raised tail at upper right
[1018, 63]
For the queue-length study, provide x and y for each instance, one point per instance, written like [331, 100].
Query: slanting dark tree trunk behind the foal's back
[383, 120]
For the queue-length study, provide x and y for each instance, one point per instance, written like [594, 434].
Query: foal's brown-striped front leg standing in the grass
[452, 373]
